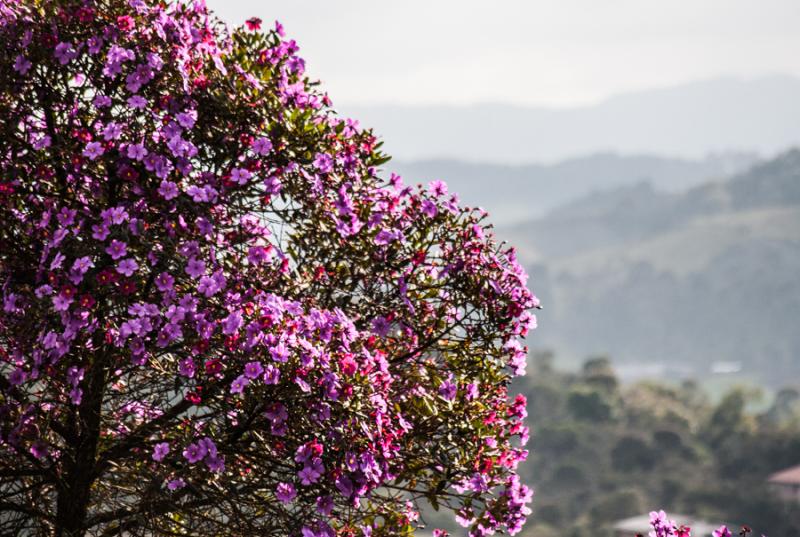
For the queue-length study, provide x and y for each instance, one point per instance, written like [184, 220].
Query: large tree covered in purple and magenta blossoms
[216, 318]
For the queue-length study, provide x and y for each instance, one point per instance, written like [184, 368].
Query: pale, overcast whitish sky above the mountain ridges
[553, 53]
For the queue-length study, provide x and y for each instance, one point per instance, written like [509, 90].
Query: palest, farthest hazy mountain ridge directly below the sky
[687, 121]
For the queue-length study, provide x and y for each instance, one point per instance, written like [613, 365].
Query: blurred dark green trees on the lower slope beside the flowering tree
[667, 445]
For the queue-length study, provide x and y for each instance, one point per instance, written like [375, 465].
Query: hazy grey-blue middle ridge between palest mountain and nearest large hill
[516, 193]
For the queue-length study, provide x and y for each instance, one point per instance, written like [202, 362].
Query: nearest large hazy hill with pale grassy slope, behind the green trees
[677, 279]
